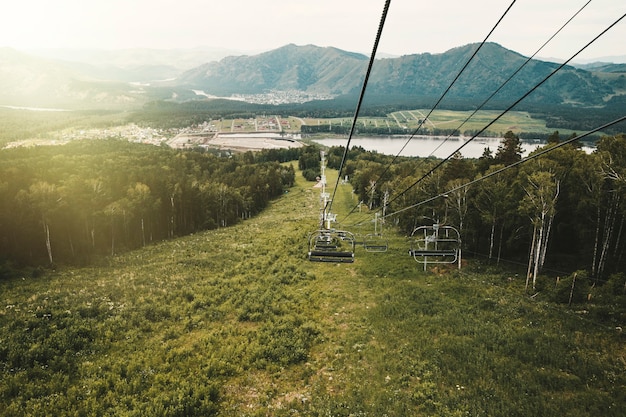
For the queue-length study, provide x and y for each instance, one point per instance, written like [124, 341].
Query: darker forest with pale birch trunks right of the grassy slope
[564, 210]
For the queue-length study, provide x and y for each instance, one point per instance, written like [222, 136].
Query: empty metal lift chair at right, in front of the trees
[436, 244]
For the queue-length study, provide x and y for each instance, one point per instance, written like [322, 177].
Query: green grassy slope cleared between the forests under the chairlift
[237, 322]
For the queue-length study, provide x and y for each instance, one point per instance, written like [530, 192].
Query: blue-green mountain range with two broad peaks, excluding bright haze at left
[330, 70]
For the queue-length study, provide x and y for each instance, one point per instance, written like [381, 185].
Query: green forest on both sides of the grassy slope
[563, 211]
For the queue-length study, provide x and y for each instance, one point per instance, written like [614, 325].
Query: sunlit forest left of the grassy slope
[68, 204]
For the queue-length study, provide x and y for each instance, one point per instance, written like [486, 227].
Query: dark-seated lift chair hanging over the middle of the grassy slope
[329, 245]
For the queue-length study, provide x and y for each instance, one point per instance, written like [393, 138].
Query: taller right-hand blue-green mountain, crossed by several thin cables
[429, 75]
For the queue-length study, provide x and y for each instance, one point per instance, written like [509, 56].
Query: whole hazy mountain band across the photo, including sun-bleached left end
[130, 78]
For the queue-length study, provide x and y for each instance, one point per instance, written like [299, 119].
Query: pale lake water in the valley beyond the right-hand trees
[425, 146]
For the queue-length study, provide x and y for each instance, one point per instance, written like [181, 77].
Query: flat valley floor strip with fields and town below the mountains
[28, 128]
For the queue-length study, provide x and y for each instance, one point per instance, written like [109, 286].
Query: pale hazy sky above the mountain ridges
[412, 26]
